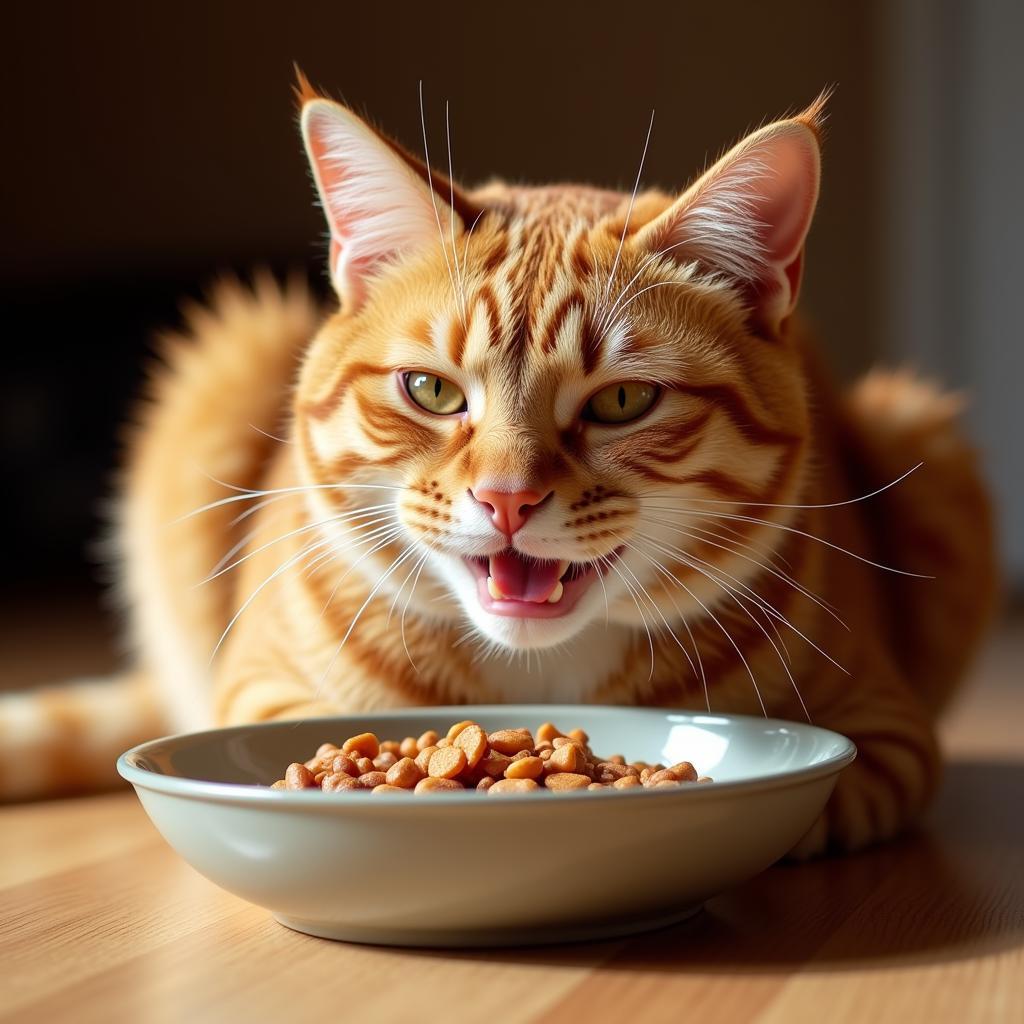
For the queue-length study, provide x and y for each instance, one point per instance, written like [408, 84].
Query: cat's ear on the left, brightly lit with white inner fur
[378, 207]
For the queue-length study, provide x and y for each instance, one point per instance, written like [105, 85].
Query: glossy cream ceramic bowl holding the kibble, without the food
[463, 869]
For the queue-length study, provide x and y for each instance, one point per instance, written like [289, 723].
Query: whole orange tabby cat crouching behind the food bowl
[558, 444]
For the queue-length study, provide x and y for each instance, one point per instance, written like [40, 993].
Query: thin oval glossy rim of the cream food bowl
[249, 794]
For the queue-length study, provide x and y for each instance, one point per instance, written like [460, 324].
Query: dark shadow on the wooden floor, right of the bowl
[949, 892]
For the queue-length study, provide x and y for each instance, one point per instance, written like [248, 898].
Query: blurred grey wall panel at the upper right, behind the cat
[953, 210]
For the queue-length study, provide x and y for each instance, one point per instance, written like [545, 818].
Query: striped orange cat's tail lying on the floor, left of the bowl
[58, 741]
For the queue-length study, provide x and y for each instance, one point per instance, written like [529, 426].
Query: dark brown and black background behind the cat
[149, 147]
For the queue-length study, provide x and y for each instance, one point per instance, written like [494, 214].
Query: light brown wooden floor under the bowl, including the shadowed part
[101, 922]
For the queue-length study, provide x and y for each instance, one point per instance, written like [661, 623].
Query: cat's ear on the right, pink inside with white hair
[747, 219]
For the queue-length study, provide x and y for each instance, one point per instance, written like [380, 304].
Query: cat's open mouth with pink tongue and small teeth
[516, 585]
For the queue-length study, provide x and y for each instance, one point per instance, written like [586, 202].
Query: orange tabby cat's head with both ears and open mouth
[546, 399]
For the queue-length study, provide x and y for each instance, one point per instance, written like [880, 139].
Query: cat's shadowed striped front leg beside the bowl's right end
[897, 772]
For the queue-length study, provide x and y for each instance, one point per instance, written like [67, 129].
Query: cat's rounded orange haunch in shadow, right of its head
[937, 523]
